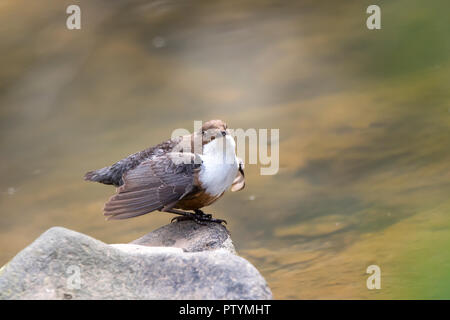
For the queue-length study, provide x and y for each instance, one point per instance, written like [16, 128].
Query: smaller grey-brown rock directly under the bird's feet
[189, 236]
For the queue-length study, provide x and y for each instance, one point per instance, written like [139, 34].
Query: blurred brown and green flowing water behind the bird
[363, 116]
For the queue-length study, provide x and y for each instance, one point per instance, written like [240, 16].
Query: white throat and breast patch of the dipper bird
[220, 165]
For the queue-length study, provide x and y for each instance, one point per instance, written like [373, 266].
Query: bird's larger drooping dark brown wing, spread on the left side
[158, 182]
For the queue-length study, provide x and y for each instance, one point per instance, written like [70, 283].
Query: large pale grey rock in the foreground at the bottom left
[64, 264]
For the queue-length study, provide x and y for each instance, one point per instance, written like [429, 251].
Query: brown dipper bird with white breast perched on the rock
[173, 175]
